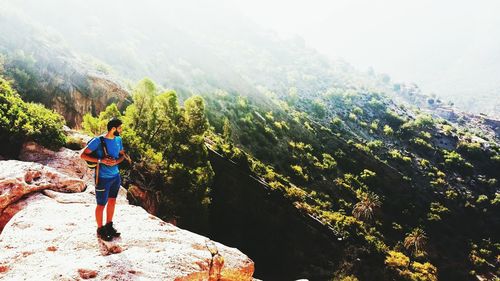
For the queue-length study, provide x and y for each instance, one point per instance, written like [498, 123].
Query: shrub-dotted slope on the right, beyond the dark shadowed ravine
[402, 181]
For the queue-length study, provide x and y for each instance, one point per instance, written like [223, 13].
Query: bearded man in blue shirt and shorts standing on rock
[107, 175]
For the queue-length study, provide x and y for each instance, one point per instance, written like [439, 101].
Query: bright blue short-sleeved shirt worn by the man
[114, 146]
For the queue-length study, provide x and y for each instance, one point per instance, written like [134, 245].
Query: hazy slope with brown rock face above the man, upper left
[45, 71]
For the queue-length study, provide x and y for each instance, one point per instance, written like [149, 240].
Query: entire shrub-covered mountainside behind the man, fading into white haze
[313, 169]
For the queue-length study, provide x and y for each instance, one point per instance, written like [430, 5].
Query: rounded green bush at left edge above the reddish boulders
[21, 121]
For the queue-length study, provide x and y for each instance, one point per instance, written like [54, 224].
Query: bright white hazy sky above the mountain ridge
[448, 47]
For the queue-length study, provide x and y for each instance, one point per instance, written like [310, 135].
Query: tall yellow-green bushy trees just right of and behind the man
[166, 143]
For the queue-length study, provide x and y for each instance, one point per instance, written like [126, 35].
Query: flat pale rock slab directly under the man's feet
[40, 243]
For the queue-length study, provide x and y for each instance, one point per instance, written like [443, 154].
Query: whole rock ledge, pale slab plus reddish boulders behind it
[47, 216]
